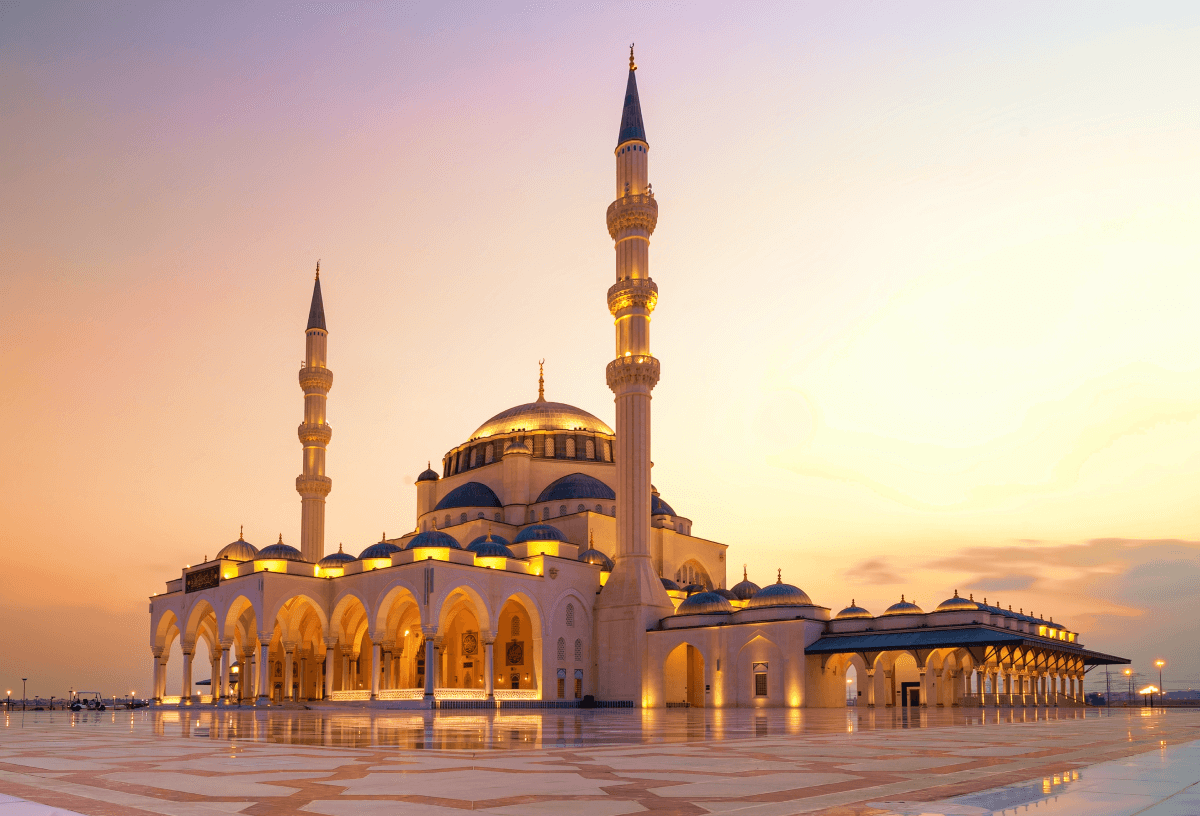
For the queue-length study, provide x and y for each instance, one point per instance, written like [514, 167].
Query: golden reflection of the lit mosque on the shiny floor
[503, 730]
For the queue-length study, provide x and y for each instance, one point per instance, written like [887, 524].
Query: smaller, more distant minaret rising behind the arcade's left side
[316, 380]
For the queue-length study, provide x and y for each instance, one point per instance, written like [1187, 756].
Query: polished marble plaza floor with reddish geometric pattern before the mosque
[603, 764]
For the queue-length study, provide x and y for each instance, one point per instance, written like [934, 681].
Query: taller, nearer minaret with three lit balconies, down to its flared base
[633, 601]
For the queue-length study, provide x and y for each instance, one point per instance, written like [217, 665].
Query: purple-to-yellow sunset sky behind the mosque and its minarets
[929, 274]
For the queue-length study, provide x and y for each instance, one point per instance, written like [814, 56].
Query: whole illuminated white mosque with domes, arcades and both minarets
[544, 569]
